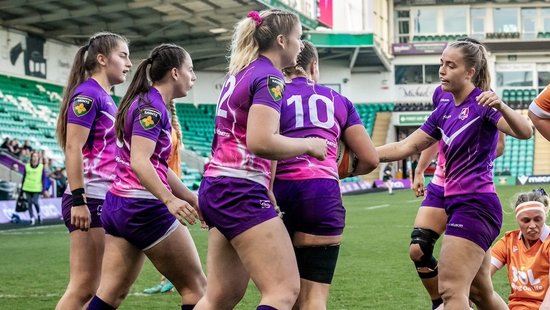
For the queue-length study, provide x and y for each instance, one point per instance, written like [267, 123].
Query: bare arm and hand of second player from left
[140, 161]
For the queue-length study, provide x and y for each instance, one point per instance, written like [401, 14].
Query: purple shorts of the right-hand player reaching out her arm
[475, 217]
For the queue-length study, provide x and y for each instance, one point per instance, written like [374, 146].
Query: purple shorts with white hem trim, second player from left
[142, 222]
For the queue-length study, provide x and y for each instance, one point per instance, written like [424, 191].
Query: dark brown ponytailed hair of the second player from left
[162, 59]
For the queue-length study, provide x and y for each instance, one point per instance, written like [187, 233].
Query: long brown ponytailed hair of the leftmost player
[84, 64]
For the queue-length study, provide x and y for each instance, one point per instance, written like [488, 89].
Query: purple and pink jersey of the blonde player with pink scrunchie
[258, 83]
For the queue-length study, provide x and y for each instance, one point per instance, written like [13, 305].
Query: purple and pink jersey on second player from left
[147, 117]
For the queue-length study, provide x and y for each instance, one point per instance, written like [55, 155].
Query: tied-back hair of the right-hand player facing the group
[475, 56]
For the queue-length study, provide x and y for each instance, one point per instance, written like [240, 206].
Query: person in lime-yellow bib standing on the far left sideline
[34, 180]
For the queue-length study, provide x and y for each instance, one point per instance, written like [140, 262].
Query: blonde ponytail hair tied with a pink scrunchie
[251, 38]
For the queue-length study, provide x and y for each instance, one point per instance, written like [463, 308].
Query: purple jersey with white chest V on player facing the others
[469, 137]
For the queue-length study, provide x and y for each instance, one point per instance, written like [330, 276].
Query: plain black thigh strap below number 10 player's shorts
[317, 263]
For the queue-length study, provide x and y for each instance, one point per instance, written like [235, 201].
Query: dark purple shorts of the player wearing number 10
[311, 206]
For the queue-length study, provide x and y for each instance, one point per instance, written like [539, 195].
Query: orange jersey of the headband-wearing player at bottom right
[527, 268]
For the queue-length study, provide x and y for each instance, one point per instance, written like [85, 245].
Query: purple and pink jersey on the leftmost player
[92, 107]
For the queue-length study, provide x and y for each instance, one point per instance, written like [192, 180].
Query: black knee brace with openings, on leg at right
[425, 238]
